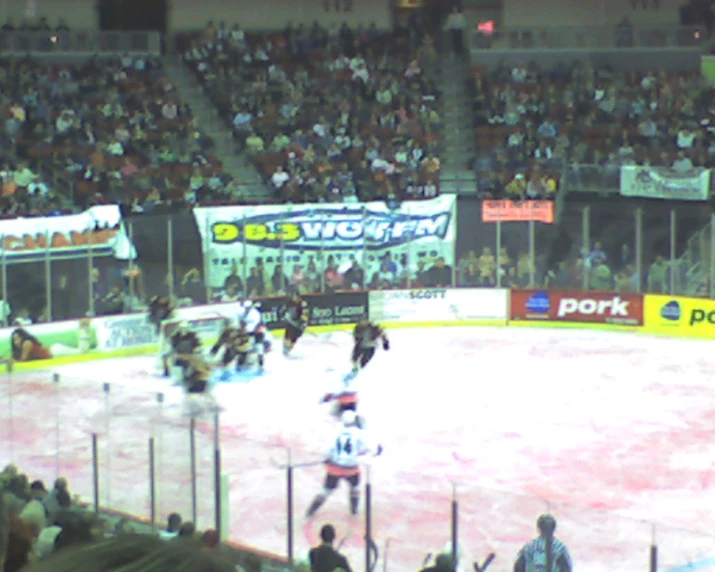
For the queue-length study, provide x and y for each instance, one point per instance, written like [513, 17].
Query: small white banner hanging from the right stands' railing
[665, 183]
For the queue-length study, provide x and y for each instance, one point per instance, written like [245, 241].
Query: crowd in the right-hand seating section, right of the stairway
[536, 125]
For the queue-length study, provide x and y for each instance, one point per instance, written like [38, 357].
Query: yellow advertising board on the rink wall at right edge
[677, 316]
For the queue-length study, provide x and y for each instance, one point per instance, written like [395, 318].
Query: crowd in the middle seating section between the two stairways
[329, 115]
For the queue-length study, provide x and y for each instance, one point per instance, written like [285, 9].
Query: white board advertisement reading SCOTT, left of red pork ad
[442, 305]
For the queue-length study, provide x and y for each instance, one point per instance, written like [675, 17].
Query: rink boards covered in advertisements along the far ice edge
[133, 334]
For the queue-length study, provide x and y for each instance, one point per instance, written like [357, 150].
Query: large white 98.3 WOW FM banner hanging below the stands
[323, 234]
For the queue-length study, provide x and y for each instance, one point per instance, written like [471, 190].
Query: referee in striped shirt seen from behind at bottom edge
[545, 553]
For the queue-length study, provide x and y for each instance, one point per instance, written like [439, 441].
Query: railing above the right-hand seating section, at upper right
[590, 37]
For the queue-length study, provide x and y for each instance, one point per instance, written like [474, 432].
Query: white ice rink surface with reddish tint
[613, 433]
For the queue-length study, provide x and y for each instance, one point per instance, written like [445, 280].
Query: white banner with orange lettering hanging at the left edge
[99, 229]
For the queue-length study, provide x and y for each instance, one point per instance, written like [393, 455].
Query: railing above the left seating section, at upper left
[80, 42]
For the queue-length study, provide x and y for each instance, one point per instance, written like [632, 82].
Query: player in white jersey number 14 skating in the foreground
[342, 463]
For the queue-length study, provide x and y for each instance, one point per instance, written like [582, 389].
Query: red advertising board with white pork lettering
[577, 307]
